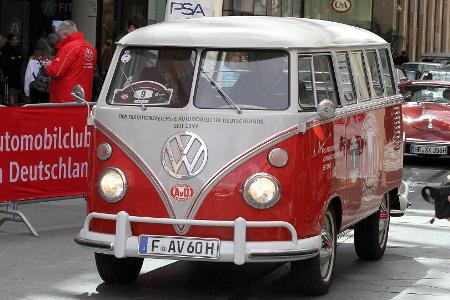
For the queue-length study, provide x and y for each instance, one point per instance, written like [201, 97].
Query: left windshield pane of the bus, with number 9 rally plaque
[153, 77]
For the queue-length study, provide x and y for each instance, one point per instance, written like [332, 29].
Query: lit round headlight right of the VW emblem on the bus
[261, 191]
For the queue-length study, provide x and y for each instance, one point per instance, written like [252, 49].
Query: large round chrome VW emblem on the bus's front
[184, 155]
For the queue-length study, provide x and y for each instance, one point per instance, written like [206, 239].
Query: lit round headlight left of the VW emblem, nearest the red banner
[112, 185]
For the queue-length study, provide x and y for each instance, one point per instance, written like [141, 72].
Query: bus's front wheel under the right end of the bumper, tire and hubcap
[309, 276]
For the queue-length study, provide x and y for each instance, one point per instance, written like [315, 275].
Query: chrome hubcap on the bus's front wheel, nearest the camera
[327, 249]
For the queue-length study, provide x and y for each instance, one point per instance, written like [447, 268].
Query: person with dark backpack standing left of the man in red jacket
[35, 85]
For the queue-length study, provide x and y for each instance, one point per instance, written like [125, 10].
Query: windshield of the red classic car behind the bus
[426, 94]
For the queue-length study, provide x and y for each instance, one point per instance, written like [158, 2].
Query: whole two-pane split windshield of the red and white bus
[226, 79]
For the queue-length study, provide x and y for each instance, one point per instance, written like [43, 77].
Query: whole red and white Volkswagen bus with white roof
[244, 139]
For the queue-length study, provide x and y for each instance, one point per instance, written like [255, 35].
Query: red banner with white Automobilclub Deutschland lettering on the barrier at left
[43, 152]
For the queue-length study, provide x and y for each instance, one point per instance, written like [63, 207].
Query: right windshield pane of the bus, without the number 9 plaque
[247, 79]
